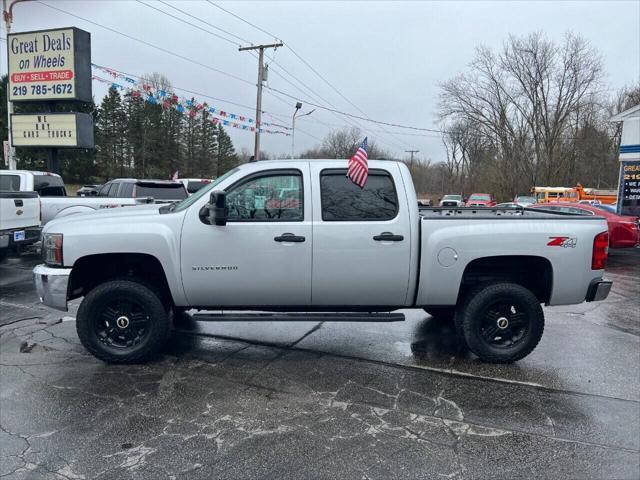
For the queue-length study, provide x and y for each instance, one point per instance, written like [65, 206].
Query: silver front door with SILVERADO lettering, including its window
[262, 256]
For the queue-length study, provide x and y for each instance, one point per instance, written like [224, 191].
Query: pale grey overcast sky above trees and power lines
[387, 58]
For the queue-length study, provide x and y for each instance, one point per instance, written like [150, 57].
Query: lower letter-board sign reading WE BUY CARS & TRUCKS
[71, 130]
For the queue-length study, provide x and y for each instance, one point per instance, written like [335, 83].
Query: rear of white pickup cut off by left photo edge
[19, 220]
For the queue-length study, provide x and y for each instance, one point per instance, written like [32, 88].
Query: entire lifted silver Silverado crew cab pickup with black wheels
[361, 253]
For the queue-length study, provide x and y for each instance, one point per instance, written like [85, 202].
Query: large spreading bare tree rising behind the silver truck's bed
[525, 101]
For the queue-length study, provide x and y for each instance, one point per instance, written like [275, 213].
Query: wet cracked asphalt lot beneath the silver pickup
[322, 400]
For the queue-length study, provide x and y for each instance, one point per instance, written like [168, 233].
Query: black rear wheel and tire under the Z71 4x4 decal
[501, 322]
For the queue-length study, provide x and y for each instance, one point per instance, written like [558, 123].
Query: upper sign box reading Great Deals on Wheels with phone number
[49, 65]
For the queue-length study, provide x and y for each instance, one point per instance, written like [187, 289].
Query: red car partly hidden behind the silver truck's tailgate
[624, 231]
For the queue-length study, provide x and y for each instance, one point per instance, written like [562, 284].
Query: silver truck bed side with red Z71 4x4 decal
[451, 239]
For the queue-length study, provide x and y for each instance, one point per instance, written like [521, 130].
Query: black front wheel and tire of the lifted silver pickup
[122, 321]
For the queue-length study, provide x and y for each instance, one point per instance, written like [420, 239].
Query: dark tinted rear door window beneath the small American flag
[343, 200]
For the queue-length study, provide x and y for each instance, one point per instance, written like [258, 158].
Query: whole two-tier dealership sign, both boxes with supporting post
[47, 67]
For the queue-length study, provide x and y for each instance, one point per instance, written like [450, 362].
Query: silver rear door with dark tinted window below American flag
[361, 238]
